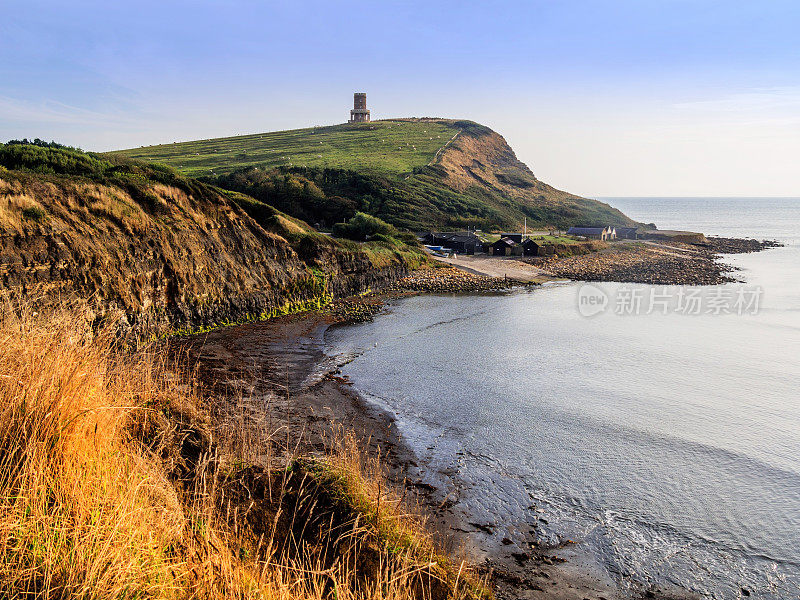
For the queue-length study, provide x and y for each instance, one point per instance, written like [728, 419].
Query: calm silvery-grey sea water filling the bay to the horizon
[668, 444]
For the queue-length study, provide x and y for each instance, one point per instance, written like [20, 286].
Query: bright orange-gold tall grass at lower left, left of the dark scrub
[81, 510]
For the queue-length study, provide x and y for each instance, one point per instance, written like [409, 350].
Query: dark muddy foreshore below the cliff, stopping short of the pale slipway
[275, 375]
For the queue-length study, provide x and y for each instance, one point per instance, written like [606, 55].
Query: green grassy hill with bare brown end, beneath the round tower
[413, 173]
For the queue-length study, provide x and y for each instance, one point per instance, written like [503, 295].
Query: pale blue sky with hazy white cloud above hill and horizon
[601, 98]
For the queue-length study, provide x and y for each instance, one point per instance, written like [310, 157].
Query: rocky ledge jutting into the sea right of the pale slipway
[659, 263]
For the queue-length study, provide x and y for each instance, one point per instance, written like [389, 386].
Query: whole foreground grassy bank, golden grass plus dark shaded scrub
[92, 504]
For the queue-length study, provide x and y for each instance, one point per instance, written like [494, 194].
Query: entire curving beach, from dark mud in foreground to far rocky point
[278, 373]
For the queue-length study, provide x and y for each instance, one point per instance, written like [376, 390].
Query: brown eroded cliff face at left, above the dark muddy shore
[158, 255]
